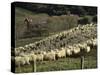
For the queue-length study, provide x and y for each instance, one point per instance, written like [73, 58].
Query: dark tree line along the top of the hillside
[54, 9]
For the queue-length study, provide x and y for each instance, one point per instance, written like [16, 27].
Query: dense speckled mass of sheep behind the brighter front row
[63, 39]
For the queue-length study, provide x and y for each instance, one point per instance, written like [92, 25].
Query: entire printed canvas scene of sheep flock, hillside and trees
[51, 37]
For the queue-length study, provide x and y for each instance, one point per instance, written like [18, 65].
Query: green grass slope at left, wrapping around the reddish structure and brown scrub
[20, 27]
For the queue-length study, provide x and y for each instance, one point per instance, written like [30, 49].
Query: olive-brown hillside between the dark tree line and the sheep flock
[42, 26]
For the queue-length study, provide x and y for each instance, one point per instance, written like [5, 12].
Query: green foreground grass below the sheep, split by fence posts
[68, 63]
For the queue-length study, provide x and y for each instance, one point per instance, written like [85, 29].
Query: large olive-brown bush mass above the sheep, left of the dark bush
[60, 23]
